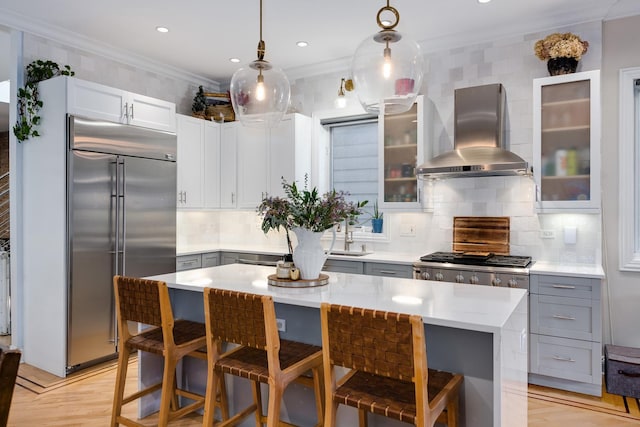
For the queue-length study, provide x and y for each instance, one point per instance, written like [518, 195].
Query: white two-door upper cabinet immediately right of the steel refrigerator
[198, 163]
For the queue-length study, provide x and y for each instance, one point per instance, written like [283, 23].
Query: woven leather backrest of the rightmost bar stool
[377, 342]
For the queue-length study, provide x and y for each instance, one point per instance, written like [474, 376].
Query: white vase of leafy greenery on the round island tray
[308, 215]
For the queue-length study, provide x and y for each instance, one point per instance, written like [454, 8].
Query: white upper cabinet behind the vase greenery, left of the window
[265, 156]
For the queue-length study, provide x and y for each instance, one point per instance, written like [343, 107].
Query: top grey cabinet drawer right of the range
[574, 287]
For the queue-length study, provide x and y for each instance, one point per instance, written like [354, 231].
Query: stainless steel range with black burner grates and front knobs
[488, 270]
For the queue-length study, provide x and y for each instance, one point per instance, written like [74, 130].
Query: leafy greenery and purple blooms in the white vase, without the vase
[305, 208]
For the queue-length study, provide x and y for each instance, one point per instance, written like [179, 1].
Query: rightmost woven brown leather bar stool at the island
[386, 356]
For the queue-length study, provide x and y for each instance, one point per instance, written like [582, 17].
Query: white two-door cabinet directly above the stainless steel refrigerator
[98, 101]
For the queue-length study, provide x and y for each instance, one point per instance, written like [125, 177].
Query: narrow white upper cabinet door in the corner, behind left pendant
[228, 165]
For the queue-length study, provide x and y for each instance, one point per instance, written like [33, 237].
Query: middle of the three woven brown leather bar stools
[249, 321]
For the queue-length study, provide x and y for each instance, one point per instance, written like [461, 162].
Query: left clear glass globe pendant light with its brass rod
[260, 91]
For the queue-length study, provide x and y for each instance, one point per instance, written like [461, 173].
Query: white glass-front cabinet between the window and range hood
[403, 146]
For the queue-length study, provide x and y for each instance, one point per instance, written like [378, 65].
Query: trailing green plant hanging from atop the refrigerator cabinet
[29, 102]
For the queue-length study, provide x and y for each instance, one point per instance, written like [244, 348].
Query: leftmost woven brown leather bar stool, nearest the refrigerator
[147, 302]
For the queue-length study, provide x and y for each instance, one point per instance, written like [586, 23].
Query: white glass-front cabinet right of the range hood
[566, 137]
